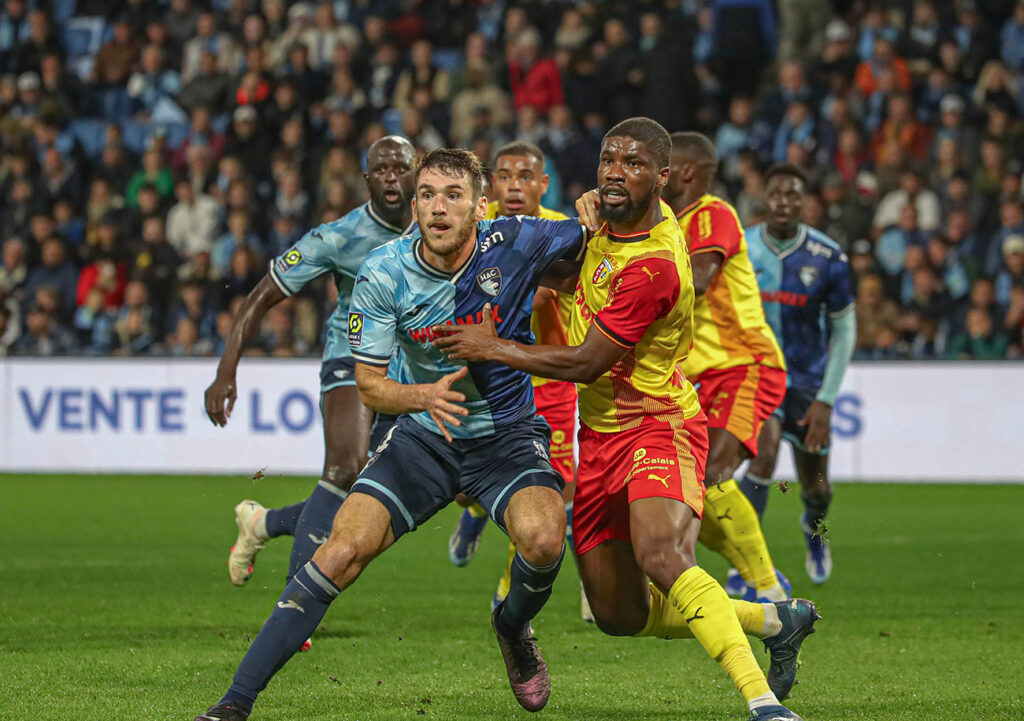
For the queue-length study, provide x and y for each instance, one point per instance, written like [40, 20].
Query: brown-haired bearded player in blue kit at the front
[470, 429]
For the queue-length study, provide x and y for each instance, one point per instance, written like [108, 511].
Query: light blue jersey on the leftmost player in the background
[338, 248]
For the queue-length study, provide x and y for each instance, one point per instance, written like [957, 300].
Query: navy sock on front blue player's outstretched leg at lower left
[295, 617]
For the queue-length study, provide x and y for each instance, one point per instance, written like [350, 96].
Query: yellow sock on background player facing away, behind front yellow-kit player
[743, 530]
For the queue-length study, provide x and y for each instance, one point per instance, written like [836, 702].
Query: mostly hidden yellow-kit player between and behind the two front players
[518, 185]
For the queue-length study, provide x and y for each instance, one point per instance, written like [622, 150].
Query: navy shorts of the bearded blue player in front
[415, 473]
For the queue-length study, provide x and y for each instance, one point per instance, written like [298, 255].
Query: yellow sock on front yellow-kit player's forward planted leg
[713, 622]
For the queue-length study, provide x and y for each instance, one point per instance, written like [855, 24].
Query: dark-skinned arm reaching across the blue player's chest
[578, 364]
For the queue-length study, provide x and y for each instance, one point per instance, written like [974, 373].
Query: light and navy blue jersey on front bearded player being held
[399, 298]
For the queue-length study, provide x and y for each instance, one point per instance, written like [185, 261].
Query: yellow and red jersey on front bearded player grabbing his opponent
[638, 291]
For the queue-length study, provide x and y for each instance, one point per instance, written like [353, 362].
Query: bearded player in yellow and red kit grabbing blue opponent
[644, 440]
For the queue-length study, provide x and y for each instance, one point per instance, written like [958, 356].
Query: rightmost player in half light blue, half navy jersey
[805, 285]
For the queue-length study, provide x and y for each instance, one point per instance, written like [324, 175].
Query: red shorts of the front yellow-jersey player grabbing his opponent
[659, 459]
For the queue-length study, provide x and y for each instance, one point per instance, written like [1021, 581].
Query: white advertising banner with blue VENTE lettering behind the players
[893, 421]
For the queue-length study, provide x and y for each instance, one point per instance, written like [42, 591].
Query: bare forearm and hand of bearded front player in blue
[380, 394]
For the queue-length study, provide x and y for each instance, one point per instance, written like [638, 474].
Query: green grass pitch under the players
[115, 605]
